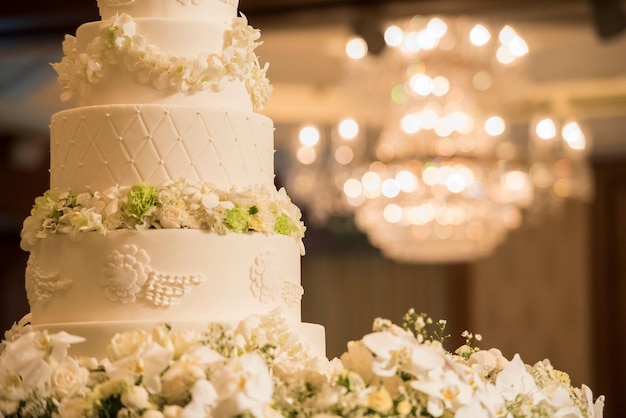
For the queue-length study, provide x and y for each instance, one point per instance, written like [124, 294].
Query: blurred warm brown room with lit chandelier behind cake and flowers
[466, 158]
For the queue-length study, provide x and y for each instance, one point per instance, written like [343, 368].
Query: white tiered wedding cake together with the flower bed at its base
[166, 261]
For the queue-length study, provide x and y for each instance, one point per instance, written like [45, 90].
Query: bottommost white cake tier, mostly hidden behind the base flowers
[98, 334]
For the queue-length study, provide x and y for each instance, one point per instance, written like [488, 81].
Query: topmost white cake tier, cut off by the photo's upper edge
[191, 9]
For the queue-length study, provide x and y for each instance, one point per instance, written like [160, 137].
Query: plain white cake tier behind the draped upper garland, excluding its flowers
[174, 40]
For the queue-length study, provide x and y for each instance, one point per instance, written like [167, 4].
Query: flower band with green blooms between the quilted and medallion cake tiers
[176, 204]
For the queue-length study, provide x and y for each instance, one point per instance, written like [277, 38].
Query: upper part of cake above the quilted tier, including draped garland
[170, 52]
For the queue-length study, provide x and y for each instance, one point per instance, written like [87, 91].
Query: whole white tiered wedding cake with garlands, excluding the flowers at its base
[162, 205]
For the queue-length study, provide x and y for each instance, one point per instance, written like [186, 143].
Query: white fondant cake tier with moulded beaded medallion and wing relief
[162, 276]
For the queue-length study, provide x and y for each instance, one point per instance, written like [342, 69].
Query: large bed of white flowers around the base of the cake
[261, 369]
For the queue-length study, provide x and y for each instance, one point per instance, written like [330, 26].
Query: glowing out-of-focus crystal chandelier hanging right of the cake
[446, 176]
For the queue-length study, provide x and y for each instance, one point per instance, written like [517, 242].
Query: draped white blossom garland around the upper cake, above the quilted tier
[119, 42]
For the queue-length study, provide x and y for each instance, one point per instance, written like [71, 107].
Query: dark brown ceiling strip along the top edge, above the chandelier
[23, 21]
